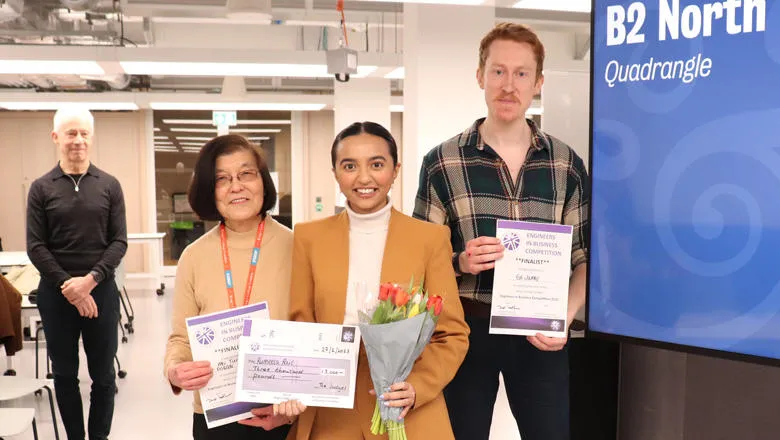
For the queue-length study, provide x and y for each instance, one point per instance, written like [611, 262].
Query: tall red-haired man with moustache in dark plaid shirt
[504, 167]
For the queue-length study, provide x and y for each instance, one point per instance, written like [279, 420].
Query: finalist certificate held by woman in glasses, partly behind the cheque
[214, 338]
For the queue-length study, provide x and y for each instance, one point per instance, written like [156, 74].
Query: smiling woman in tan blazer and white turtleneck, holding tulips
[372, 243]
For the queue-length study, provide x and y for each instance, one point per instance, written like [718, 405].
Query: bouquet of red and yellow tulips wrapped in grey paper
[396, 327]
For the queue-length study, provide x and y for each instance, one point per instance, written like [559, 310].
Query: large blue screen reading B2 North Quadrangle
[685, 165]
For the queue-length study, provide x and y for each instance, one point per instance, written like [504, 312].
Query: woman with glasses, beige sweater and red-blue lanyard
[232, 185]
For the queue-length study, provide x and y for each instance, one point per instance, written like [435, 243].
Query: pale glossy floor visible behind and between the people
[145, 408]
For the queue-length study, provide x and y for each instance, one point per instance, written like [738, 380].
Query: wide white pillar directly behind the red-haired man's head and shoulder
[441, 94]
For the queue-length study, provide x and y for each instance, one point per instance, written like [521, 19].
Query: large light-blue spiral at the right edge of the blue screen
[708, 221]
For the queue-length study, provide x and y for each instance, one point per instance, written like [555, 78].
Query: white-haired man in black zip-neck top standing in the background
[76, 237]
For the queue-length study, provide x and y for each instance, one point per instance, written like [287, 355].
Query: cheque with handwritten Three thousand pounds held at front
[286, 360]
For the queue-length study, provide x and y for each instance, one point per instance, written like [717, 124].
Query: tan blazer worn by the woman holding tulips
[318, 294]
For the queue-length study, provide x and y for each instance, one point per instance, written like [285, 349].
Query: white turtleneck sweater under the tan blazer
[367, 236]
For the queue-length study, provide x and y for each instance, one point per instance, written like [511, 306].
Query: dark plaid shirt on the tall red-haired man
[466, 185]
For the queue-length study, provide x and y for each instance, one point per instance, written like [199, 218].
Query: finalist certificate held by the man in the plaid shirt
[531, 280]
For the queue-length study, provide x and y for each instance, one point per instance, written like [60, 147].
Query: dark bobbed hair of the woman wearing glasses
[201, 194]
